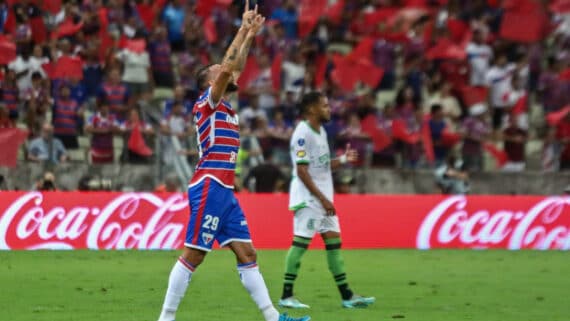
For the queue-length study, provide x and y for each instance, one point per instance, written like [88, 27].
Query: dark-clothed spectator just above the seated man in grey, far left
[37, 102]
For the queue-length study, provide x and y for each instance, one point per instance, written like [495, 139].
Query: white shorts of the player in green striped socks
[309, 221]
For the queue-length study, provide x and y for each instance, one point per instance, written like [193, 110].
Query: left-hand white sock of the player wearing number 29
[177, 284]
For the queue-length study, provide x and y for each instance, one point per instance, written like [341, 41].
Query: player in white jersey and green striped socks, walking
[311, 197]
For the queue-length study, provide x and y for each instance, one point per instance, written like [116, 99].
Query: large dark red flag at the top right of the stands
[523, 26]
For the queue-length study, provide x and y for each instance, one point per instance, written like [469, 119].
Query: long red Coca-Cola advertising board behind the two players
[75, 220]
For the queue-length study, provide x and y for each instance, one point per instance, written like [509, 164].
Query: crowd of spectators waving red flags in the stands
[410, 83]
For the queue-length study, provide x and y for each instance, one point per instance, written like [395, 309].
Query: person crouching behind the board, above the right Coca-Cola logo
[452, 177]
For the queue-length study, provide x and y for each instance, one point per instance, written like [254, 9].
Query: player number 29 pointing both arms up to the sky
[215, 213]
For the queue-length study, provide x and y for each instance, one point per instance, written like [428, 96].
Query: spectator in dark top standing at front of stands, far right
[515, 139]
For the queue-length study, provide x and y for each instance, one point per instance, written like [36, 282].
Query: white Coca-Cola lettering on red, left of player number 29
[131, 220]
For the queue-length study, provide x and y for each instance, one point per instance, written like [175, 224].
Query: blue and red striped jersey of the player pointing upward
[217, 128]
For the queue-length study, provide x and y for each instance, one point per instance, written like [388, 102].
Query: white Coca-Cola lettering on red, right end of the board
[546, 225]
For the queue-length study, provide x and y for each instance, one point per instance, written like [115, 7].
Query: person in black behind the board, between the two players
[265, 177]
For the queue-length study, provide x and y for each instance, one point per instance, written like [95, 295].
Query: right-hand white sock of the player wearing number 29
[254, 284]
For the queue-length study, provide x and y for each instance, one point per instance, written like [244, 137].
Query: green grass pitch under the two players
[440, 285]
